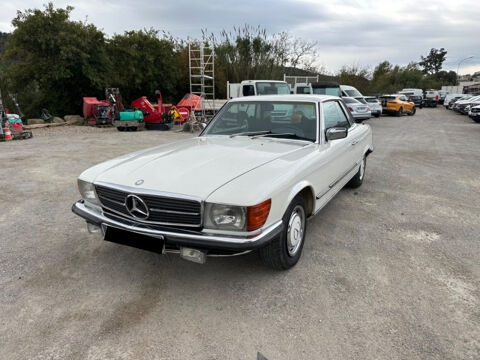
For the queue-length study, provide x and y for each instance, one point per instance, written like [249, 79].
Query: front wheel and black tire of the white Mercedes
[282, 253]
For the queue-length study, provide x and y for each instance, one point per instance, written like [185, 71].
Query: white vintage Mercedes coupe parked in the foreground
[249, 181]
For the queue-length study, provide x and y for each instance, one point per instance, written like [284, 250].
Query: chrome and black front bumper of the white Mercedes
[179, 237]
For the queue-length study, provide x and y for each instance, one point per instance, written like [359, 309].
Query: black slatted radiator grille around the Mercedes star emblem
[162, 210]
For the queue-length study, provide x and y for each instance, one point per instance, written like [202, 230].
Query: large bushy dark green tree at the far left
[54, 61]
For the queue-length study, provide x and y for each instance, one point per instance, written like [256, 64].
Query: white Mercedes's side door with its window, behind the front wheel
[334, 156]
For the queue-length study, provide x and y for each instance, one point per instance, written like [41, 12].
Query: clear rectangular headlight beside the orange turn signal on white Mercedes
[225, 217]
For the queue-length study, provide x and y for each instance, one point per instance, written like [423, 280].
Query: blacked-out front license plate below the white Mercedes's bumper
[135, 240]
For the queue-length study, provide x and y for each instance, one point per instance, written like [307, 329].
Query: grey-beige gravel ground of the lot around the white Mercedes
[389, 271]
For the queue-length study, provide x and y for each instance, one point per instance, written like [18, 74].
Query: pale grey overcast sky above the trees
[347, 32]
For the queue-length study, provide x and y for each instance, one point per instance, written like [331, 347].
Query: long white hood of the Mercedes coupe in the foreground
[196, 167]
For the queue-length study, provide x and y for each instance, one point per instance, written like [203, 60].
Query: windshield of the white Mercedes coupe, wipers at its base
[295, 120]
